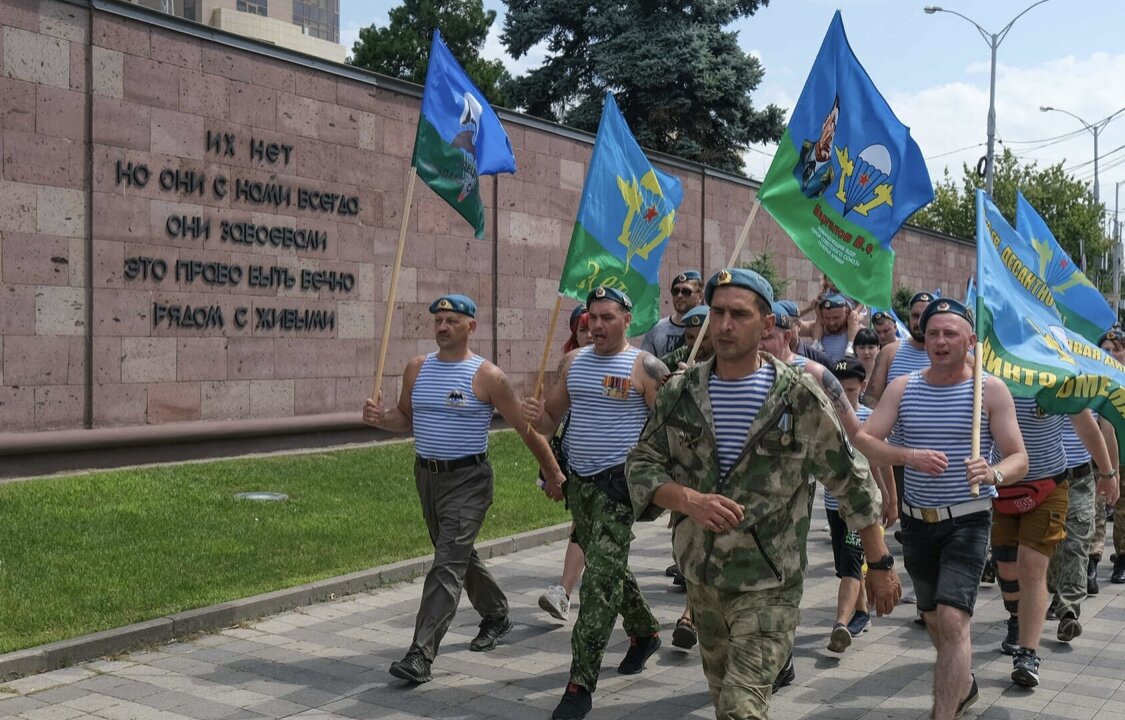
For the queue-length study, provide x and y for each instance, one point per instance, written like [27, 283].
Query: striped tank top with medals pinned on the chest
[607, 412]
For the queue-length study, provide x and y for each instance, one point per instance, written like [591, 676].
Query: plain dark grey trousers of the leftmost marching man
[455, 505]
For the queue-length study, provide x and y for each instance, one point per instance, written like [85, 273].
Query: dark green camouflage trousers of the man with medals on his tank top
[604, 529]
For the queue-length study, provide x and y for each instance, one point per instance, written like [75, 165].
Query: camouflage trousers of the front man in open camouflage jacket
[745, 640]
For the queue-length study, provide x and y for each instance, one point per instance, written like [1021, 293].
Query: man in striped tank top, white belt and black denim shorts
[946, 526]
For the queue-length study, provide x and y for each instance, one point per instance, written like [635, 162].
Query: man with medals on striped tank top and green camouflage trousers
[608, 388]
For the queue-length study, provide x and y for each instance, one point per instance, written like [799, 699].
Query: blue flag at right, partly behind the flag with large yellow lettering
[1083, 308]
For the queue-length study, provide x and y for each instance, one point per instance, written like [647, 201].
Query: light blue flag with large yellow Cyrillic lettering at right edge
[1025, 344]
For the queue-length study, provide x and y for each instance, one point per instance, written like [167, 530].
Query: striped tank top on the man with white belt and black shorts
[941, 418]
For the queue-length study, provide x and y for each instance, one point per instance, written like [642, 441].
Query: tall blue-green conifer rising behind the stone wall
[680, 79]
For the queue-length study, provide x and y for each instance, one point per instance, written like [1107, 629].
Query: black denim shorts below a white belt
[946, 560]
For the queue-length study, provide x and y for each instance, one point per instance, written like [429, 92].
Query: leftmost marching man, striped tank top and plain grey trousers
[448, 400]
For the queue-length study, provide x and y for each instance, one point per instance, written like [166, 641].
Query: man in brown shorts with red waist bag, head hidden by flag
[1027, 532]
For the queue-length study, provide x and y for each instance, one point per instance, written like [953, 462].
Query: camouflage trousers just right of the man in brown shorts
[1067, 571]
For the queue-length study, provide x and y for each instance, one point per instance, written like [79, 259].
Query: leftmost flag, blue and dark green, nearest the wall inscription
[460, 138]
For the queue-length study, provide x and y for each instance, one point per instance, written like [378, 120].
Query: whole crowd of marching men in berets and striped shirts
[733, 439]
